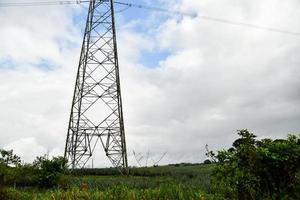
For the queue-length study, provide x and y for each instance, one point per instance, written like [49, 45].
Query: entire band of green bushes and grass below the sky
[250, 169]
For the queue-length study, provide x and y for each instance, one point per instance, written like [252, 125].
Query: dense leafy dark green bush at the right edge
[259, 169]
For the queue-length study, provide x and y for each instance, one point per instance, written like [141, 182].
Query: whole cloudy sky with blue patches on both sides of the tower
[186, 81]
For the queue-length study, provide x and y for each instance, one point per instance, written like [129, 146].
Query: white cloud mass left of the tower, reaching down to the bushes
[35, 101]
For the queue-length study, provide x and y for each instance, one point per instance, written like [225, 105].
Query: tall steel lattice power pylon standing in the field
[96, 113]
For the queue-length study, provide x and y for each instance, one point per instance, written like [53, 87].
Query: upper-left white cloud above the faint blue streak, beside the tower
[30, 35]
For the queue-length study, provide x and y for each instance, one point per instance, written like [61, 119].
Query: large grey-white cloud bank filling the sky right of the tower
[219, 78]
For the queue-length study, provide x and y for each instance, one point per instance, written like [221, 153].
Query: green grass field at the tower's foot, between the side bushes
[165, 182]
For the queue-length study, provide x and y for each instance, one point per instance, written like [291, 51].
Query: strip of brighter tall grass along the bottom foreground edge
[165, 192]
